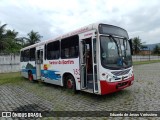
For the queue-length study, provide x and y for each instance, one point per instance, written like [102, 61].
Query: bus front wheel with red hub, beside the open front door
[70, 83]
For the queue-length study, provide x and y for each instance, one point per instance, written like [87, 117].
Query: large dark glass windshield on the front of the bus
[115, 52]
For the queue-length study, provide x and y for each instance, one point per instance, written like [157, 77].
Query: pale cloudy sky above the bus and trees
[51, 18]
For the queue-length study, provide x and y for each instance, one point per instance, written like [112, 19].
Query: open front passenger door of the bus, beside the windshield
[88, 62]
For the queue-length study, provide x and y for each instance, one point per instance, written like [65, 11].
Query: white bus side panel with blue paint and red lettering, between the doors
[53, 71]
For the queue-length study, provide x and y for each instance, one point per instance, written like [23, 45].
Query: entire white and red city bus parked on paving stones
[96, 59]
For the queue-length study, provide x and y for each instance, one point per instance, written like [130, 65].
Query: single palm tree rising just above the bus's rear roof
[33, 37]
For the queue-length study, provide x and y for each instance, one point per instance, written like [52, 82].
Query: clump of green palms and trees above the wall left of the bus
[11, 43]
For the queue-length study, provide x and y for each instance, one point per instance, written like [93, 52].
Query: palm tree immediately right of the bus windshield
[137, 44]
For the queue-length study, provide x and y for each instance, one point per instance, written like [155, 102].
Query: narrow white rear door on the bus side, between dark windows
[39, 62]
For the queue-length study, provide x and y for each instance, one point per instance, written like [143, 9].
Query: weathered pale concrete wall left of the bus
[9, 63]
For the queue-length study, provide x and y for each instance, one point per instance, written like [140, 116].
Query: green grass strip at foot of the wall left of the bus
[10, 78]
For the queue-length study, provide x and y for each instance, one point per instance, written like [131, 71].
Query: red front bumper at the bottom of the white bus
[110, 87]
